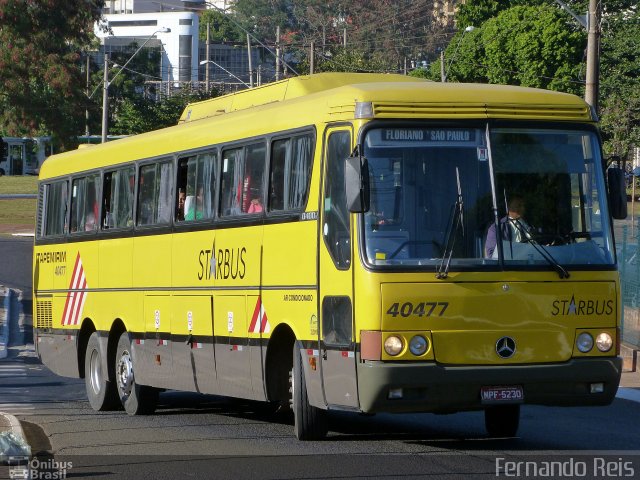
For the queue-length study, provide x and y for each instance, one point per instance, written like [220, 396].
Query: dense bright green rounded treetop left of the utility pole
[528, 46]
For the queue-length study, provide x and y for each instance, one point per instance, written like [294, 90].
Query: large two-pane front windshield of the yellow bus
[484, 197]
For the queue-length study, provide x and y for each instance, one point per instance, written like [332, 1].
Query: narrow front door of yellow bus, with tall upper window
[337, 342]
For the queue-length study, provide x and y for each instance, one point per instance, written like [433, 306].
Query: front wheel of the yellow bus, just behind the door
[309, 422]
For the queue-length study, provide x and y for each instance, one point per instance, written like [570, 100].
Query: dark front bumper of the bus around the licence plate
[445, 389]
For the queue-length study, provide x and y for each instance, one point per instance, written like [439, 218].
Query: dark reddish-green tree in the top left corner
[41, 87]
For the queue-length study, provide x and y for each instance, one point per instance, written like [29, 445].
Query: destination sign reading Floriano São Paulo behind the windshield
[387, 136]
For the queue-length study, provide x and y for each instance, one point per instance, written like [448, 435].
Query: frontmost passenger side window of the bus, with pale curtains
[290, 173]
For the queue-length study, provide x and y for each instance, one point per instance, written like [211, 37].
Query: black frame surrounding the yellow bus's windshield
[487, 125]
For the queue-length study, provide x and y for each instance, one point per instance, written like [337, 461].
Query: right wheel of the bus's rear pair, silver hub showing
[136, 399]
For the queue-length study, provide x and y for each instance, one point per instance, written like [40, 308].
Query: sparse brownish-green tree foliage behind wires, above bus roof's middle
[390, 31]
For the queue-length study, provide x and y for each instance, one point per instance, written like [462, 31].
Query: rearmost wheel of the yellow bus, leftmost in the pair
[101, 392]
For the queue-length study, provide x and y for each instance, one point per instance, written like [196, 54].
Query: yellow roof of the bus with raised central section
[321, 98]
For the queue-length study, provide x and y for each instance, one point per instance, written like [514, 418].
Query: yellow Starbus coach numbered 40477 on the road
[355, 242]
